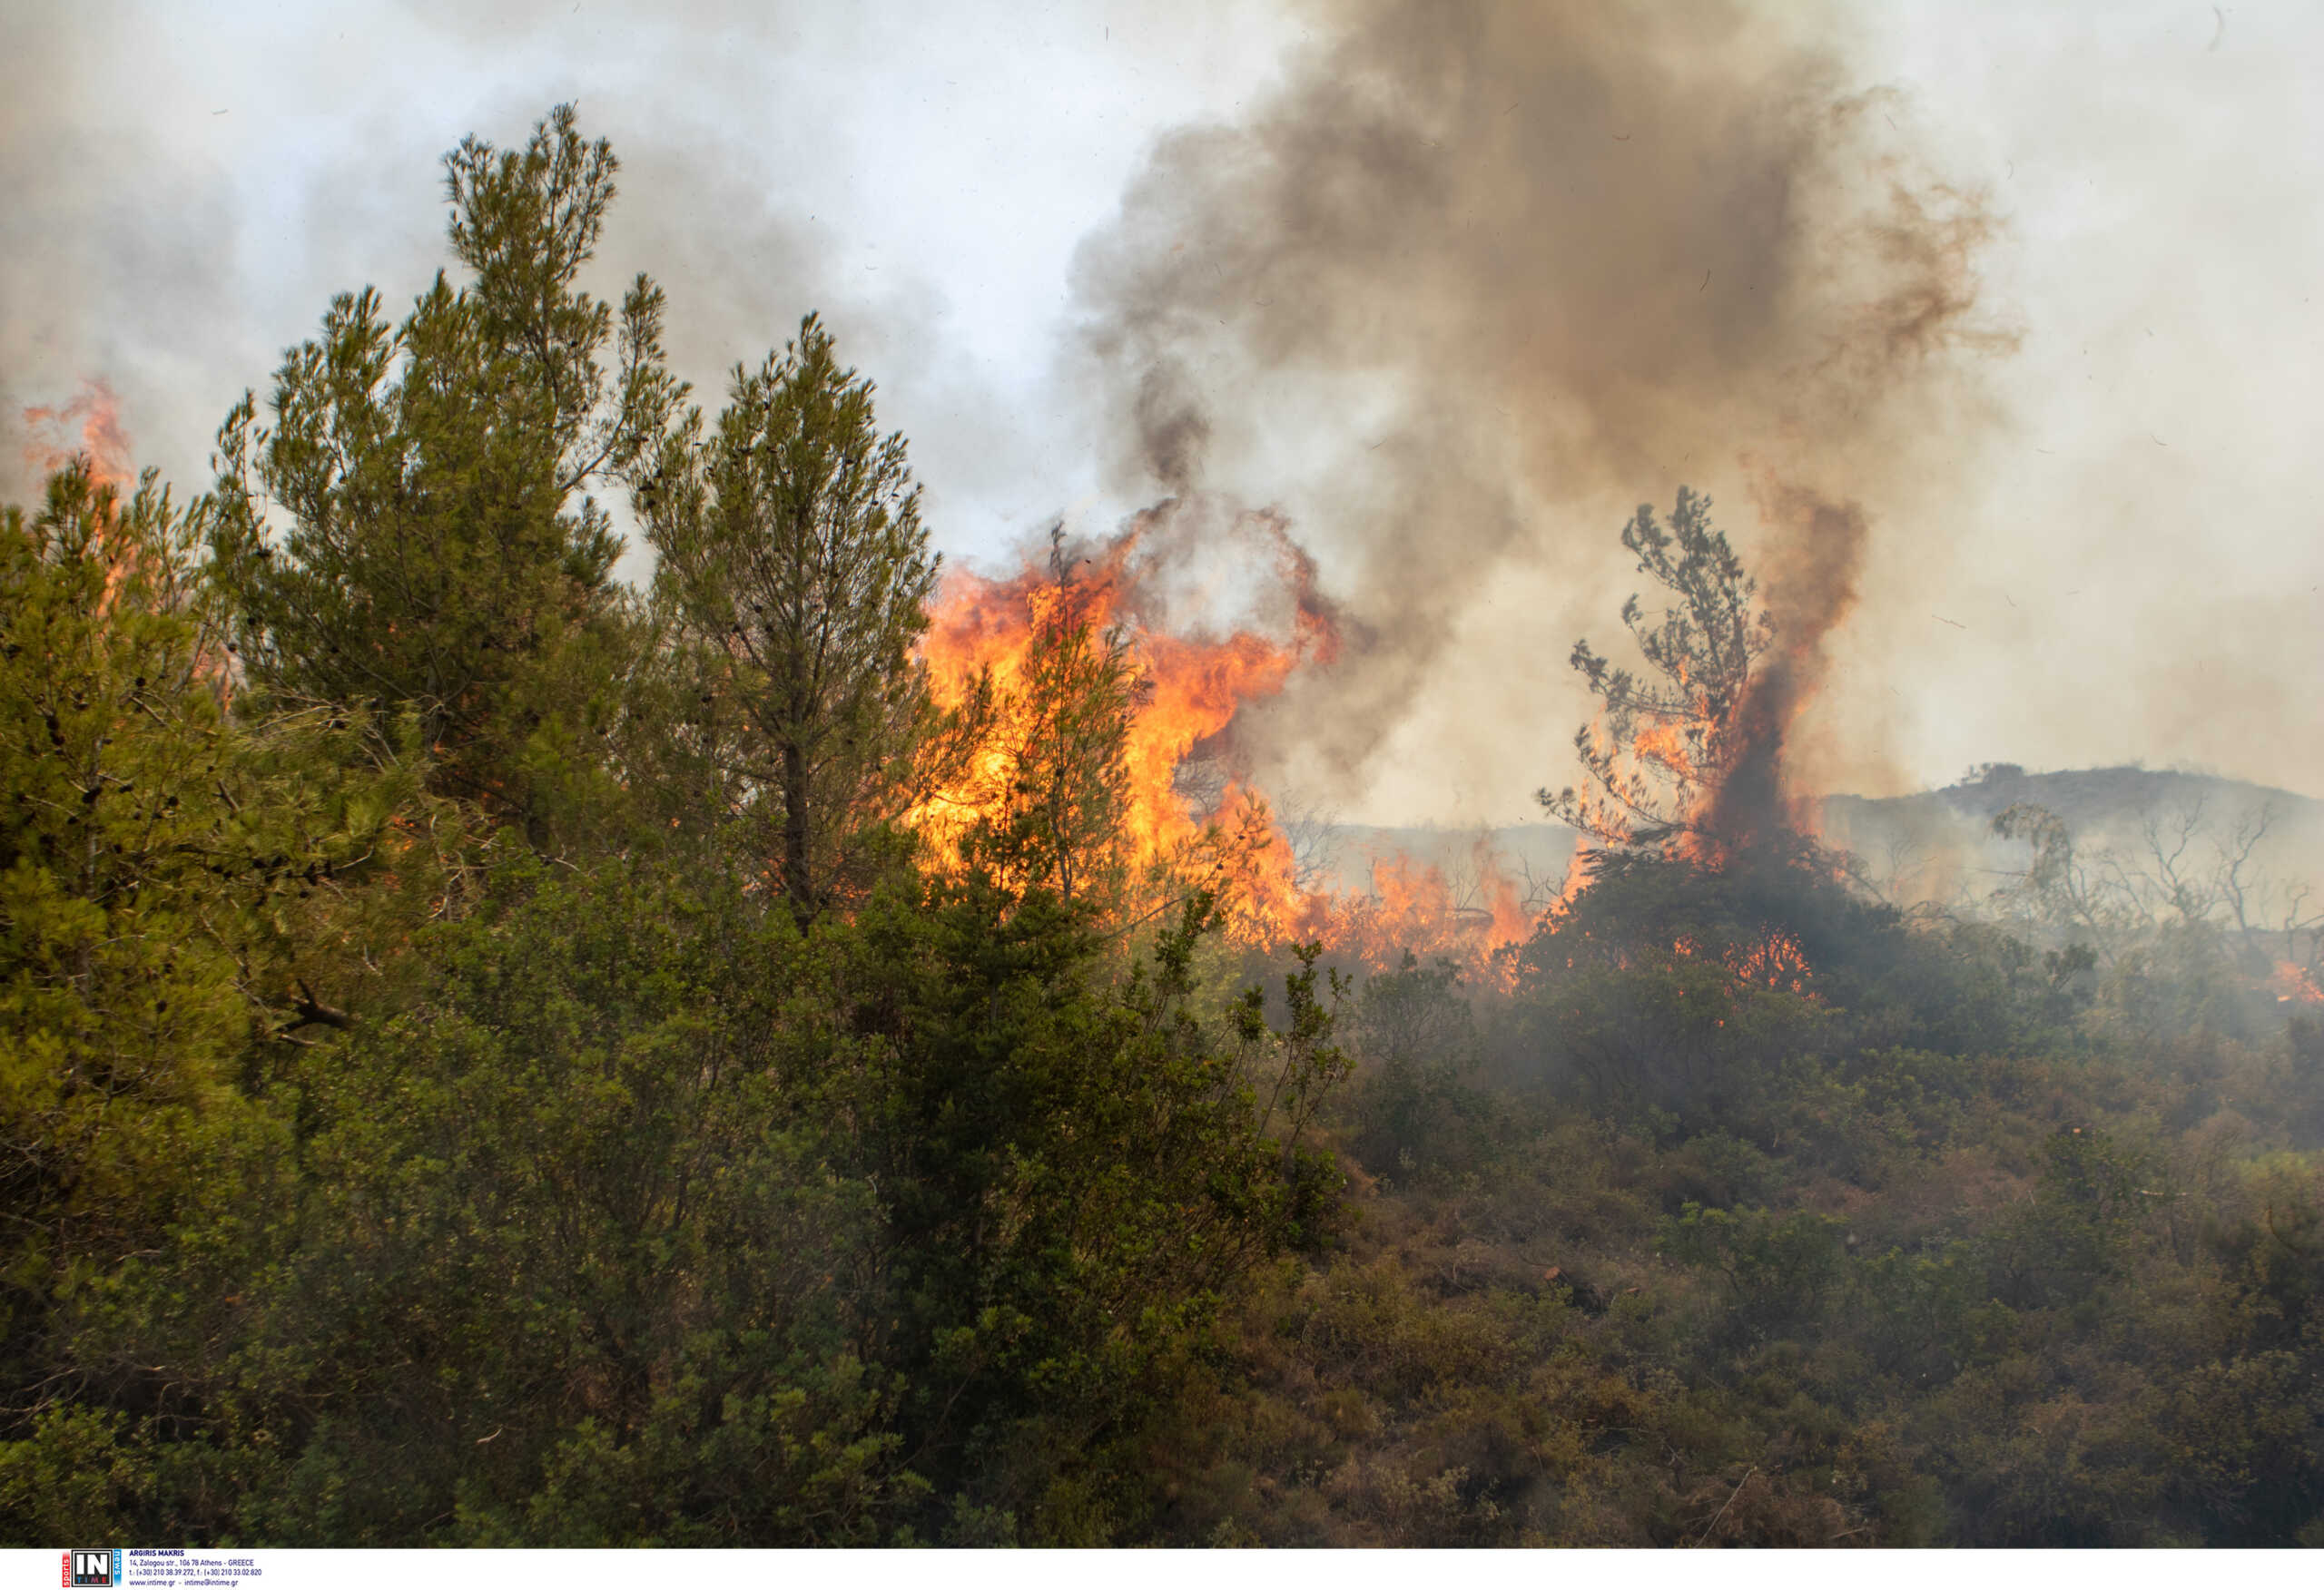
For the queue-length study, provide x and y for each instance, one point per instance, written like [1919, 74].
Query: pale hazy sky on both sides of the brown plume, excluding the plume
[2107, 552]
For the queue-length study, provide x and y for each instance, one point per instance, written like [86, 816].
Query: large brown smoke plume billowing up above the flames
[1561, 259]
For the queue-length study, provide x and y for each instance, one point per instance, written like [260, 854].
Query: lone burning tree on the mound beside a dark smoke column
[1663, 745]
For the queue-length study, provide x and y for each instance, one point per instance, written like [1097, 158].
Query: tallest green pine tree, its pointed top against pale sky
[431, 480]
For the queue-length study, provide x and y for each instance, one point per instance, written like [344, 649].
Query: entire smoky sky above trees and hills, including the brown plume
[2025, 296]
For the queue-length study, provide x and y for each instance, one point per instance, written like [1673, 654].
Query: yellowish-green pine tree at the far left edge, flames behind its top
[173, 880]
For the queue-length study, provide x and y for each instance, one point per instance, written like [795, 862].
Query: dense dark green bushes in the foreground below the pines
[654, 1219]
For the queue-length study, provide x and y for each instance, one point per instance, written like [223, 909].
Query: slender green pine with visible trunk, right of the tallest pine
[794, 550]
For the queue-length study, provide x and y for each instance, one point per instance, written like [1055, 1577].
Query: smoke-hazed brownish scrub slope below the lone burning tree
[1751, 1210]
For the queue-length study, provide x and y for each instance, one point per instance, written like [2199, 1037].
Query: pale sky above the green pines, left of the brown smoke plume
[873, 164]
